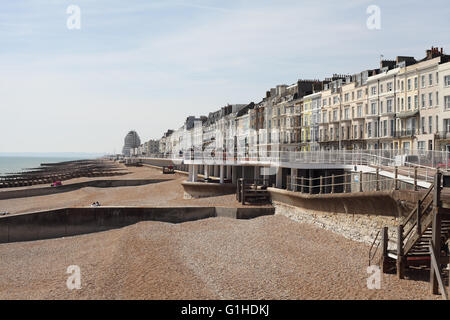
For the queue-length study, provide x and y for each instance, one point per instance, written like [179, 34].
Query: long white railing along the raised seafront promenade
[409, 162]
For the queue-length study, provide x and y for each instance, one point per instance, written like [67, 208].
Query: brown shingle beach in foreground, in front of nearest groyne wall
[269, 257]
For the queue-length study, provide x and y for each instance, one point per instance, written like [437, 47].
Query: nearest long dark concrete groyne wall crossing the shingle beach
[76, 221]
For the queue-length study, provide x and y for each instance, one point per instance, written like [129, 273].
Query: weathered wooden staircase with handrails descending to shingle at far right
[422, 239]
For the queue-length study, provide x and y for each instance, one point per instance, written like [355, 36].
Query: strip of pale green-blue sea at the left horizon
[11, 164]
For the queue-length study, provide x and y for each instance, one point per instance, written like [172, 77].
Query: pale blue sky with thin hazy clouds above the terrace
[146, 65]
